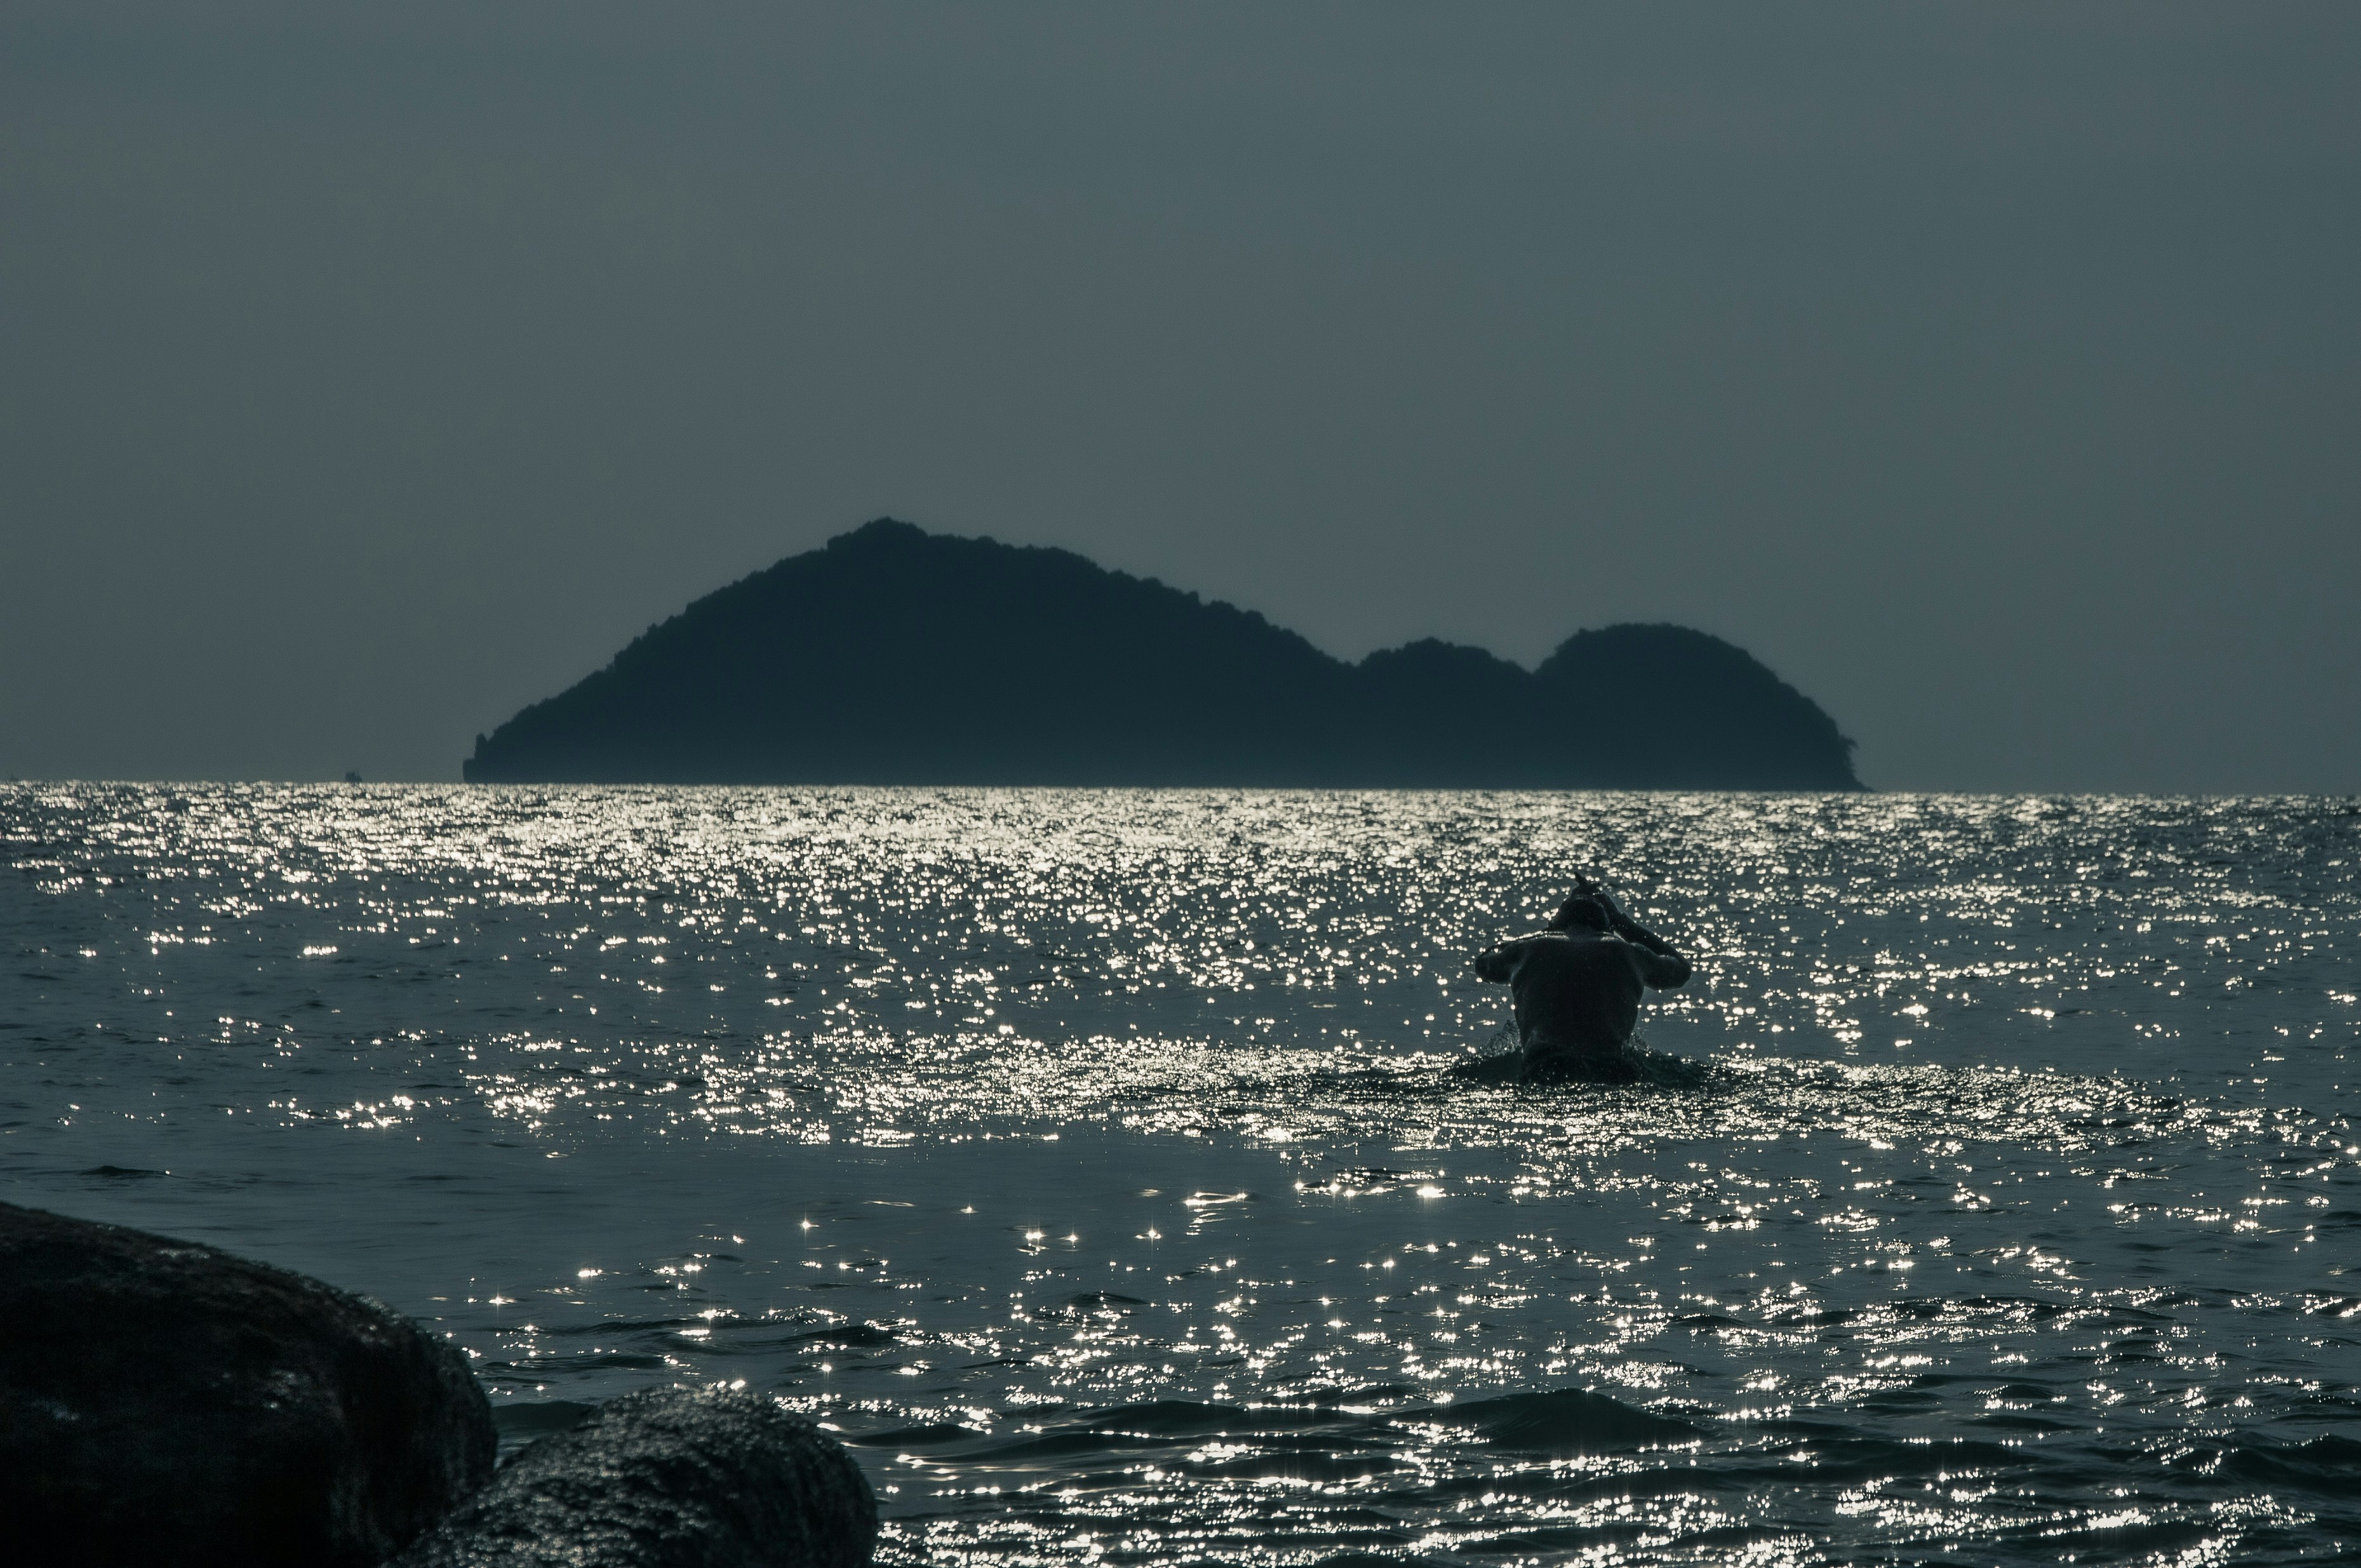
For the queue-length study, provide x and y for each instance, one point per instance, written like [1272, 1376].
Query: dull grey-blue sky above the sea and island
[1992, 372]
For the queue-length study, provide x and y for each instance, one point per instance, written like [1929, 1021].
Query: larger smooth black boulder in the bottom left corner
[171, 1404]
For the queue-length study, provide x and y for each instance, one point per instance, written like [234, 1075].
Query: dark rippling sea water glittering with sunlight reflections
[1087, 1161]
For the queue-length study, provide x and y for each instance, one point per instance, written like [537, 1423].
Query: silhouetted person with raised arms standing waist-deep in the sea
[1578, 988]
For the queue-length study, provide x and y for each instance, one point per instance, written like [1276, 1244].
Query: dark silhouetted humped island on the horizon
[905, 658]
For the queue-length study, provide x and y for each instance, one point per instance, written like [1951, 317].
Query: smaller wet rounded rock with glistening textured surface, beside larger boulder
[669, 1479]
